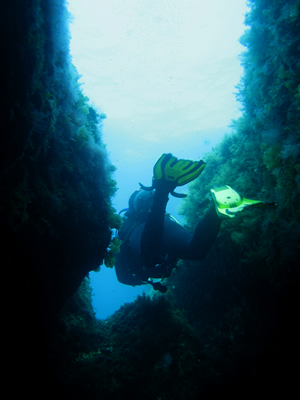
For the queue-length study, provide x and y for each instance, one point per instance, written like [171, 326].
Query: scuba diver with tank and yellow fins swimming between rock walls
[153, 241]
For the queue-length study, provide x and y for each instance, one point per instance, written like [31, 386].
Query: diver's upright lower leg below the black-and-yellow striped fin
[152, 235]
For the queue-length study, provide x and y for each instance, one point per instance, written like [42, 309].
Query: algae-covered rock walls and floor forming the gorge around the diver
[227, 325]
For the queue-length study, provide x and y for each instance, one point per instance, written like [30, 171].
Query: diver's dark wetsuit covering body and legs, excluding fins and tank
[154, 246]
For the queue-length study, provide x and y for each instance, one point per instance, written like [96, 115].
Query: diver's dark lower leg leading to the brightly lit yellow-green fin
[205, 234]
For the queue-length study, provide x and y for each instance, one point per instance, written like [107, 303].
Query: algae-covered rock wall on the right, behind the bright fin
[245, 292]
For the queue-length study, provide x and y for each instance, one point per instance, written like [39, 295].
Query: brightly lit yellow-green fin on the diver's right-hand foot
[228, 202]
